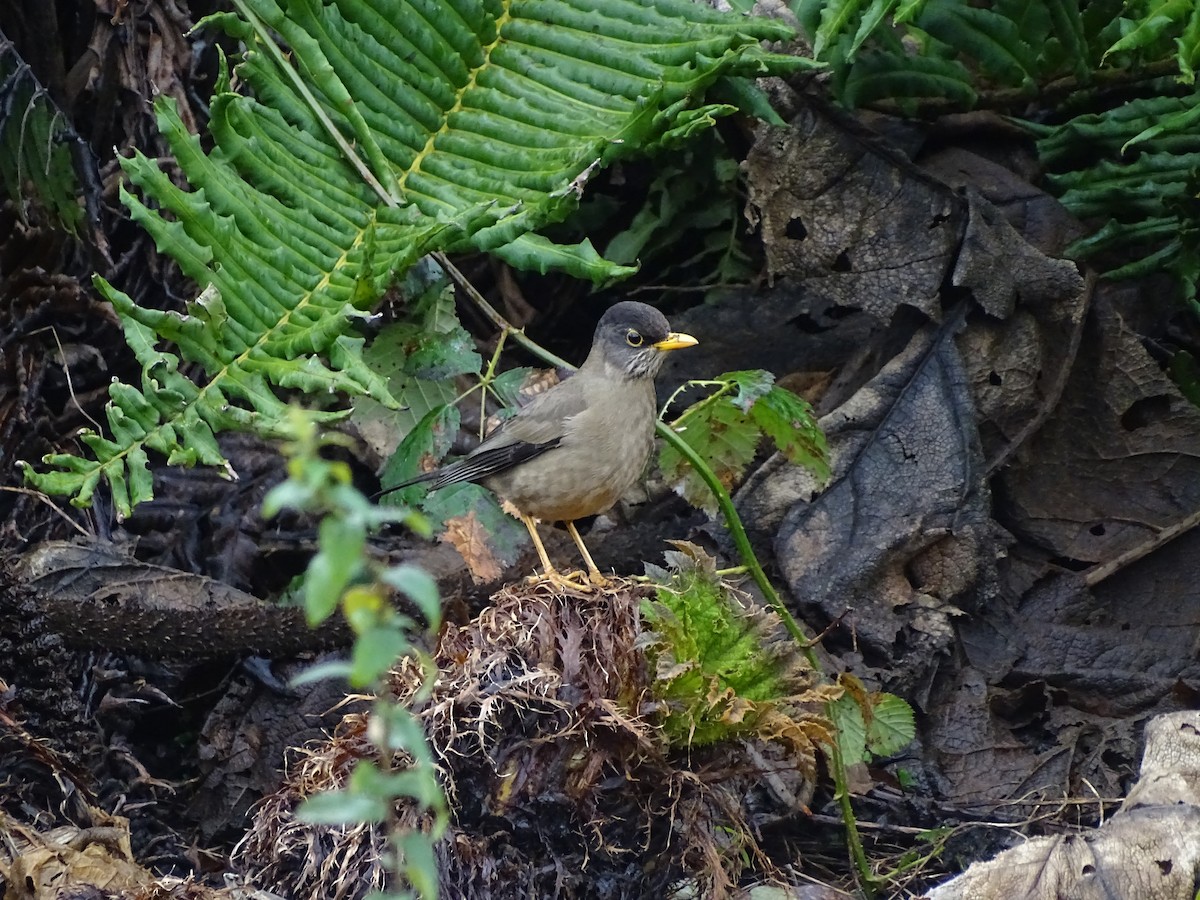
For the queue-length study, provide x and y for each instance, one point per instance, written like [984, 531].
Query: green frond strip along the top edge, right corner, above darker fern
[907, 50]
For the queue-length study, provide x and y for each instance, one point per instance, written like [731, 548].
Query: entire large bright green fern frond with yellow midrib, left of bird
[387, 131]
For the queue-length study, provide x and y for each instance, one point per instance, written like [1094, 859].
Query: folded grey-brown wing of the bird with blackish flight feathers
[538, 428]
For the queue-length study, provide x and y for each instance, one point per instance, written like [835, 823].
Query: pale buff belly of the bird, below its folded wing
[578, 479]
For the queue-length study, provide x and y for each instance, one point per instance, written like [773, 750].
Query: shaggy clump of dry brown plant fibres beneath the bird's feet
[560, 778]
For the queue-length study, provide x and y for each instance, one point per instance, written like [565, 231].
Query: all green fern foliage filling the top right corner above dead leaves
[1108, 87]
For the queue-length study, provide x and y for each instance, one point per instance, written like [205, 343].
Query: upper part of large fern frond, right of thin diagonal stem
[508, 103]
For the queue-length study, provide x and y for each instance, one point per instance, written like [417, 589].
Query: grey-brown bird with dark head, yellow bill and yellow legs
[577, 449]
